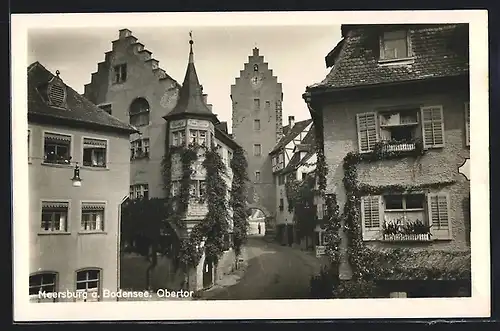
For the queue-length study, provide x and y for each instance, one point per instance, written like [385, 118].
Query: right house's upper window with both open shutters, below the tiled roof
[401, 128]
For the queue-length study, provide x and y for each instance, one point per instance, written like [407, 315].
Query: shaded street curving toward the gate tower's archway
[272, 272]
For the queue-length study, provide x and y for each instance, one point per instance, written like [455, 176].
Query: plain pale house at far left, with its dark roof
[74, 231]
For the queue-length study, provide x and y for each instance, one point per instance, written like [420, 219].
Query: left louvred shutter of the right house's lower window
[371, 216]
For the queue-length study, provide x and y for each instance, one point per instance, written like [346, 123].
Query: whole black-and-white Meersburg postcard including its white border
[305, 164]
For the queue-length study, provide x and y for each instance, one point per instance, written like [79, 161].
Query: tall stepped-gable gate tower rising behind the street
[257, 125]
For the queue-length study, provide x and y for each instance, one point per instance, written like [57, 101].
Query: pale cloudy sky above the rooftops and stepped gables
[294, 53]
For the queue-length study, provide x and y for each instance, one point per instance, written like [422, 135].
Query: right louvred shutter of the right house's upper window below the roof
[432, 126]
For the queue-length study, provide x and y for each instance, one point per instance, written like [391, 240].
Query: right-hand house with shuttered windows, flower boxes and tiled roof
[399, 95]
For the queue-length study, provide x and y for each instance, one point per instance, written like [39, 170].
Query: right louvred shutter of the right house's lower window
[438, 205]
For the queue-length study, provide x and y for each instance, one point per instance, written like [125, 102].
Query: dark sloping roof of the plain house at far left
[79, 109]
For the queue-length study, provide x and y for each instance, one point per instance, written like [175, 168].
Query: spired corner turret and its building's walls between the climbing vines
[192, 124]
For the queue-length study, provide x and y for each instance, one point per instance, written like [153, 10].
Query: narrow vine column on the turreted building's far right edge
[237, 202]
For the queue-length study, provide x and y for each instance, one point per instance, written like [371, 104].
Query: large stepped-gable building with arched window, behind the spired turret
[131, 86]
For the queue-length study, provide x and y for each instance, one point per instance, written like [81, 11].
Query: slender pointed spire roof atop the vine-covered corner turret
[190, 100]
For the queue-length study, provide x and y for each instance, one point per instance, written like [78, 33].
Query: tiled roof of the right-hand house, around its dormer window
[440, 51]
